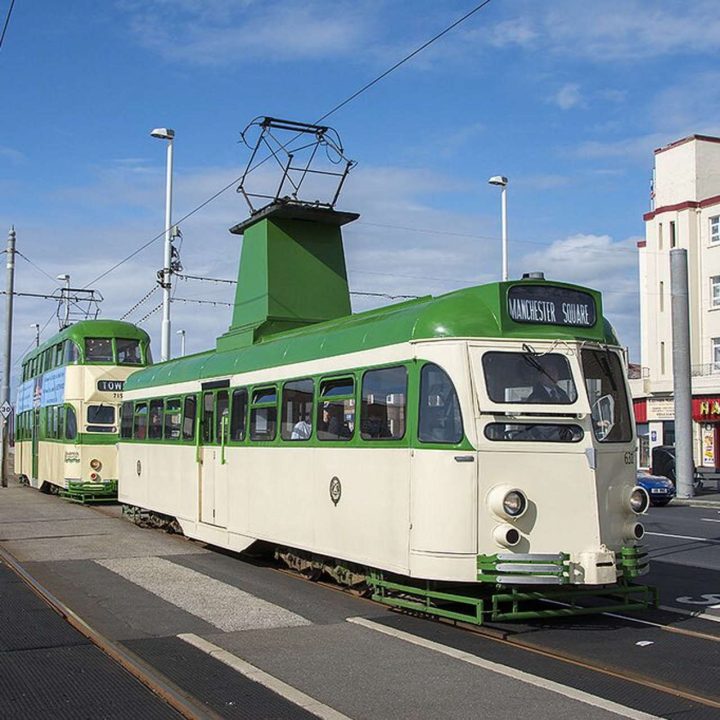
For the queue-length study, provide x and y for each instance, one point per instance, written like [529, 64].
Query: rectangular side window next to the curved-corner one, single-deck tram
[382, 415]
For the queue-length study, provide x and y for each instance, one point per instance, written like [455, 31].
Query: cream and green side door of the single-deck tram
[213, 485]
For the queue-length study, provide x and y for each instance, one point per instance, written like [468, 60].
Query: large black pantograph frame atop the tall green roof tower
[304, 168]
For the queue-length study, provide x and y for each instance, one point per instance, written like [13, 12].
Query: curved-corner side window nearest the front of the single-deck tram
[440, 419]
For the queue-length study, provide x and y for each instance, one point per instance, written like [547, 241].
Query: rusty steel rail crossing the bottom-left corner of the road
[183, 703]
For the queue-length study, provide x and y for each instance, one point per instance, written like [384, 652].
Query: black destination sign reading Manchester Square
[547, 305]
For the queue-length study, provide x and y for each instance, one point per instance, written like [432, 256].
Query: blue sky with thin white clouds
[567, 99]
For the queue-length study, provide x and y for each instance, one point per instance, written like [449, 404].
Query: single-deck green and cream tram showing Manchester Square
[457, 452]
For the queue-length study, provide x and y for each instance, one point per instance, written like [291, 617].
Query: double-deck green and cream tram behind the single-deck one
[68, 407]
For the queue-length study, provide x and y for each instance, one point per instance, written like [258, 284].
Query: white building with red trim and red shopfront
[685, 214]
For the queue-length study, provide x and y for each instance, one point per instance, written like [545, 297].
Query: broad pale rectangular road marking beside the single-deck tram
[224, 606]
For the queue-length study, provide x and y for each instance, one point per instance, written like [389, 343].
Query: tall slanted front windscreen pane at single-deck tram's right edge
[605, 383]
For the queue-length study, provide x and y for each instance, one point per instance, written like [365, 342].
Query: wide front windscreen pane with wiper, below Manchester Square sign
[529, 378]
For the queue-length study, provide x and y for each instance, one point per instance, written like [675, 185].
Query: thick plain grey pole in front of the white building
[682, 389]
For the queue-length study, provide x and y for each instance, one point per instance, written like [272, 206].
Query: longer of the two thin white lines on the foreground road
[513, 673]
